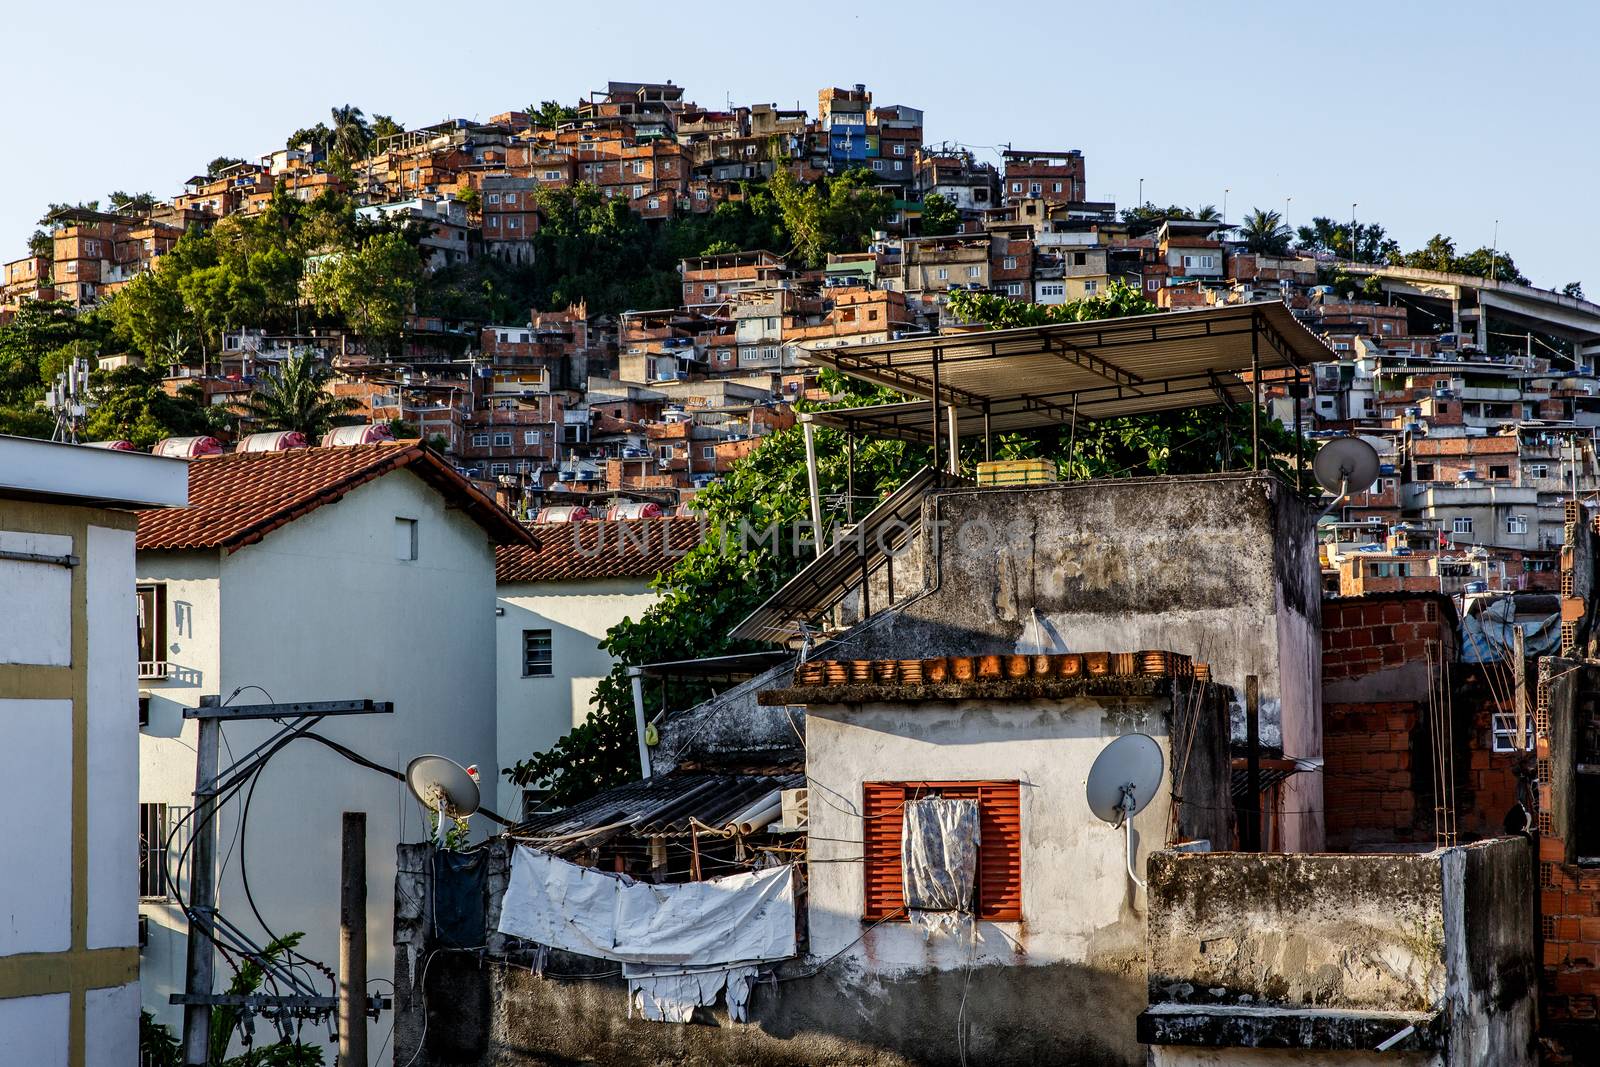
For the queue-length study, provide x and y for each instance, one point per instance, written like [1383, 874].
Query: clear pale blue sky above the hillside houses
[1433, 118]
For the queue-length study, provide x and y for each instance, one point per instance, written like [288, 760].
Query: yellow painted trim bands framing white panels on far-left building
[81, 969]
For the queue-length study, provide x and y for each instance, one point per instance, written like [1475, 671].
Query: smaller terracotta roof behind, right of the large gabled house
[634, 548]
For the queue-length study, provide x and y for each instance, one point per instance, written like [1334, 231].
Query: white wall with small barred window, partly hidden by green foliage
[535, 713]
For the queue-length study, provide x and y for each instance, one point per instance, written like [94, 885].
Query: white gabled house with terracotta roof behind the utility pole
[310, 575]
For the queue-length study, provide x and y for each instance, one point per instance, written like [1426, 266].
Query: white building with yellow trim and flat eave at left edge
[70, 761]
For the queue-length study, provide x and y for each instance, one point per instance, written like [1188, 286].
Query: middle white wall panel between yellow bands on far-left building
[36, 778]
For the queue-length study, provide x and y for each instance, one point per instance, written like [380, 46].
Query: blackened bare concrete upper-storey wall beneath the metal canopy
[1222, 569]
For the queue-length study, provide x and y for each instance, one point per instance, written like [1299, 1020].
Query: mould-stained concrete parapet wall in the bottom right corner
[1263, 949]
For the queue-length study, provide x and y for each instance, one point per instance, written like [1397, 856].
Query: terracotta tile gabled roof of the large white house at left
[239, 498]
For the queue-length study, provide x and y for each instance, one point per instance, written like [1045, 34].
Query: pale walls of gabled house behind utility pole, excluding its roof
[322, 610]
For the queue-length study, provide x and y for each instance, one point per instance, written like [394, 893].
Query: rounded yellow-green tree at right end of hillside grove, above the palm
[374, 287]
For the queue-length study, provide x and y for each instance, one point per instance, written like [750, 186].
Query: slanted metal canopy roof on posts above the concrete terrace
[1049, 375]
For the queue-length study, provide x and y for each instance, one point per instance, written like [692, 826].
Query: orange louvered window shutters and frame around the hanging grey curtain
[999, 845]
